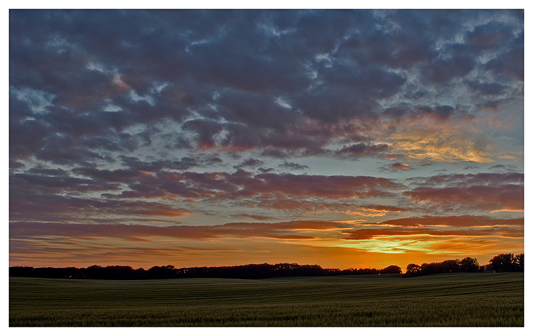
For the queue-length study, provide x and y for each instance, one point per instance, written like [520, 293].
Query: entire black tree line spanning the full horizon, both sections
[500, 263]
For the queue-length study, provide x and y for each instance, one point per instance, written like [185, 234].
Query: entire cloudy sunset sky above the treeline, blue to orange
[344, 138]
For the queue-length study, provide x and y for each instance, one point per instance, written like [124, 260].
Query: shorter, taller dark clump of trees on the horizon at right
[501, 263]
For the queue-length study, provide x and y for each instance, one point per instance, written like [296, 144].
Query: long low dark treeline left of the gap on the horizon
[251, 271]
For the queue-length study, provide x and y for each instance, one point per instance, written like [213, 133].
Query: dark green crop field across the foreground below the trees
[461, 299]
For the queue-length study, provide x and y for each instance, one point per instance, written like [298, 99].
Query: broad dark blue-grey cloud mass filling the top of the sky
[250, 58]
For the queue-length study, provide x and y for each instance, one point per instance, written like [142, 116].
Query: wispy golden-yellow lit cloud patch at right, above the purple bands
[441, 133]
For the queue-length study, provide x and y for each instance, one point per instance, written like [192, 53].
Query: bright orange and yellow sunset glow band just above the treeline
[326, 251]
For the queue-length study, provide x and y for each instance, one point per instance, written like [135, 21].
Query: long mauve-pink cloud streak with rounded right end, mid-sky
[240, 184]
